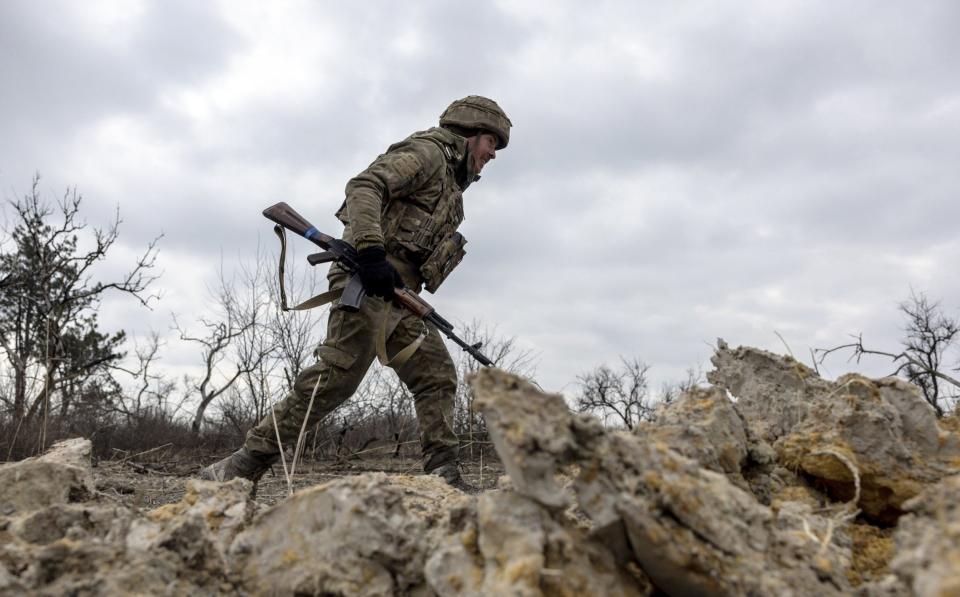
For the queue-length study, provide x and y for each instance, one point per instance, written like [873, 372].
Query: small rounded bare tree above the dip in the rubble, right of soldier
[622, 394]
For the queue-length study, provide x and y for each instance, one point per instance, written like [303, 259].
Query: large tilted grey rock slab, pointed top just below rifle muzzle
[690, 529]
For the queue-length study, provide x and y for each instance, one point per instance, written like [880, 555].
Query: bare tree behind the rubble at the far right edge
[929, 335]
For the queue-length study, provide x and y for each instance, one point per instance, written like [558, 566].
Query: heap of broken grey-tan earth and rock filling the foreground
[772, 481]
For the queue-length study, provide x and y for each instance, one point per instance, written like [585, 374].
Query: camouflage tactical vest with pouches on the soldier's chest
[421, 227]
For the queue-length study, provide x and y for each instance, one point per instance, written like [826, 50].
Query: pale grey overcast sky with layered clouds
[677, 172]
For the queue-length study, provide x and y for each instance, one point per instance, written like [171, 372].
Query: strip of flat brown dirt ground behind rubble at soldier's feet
[160, 478]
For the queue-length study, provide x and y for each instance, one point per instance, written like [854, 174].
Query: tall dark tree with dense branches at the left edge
[48, 325]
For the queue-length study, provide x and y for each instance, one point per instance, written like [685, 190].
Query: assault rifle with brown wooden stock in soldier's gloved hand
[345, 256]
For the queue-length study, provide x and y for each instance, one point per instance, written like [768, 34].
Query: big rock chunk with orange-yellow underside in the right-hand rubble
[878, 434]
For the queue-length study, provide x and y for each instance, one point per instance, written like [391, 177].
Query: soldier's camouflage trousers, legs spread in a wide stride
[342, 361]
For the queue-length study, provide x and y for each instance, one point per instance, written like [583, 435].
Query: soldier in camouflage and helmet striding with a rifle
[401, 214]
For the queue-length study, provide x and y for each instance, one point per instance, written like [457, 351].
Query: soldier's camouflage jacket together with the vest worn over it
[409, 200]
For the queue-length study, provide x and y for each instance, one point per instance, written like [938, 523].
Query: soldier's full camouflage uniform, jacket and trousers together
[409, 200]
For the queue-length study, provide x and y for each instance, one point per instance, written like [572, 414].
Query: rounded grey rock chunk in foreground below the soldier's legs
[364, 535]
